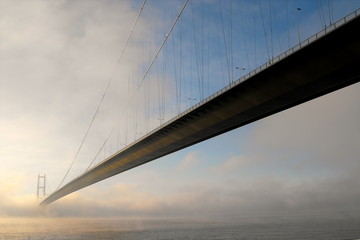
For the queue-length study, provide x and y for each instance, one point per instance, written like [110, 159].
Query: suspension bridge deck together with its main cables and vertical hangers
[322, 63]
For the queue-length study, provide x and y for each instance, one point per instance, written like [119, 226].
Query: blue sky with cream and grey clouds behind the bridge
[56, 58]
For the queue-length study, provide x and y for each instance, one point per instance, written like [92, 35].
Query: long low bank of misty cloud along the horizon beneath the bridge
[265, 196]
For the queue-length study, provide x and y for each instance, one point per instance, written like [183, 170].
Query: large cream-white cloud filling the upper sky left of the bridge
[57, 58]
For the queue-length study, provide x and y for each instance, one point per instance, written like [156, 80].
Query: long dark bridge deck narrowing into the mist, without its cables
[326, 62]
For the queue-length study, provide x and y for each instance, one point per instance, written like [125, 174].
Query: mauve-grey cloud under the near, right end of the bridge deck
[320, 133]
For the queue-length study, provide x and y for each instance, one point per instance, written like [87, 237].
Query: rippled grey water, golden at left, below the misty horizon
[180, 228]
